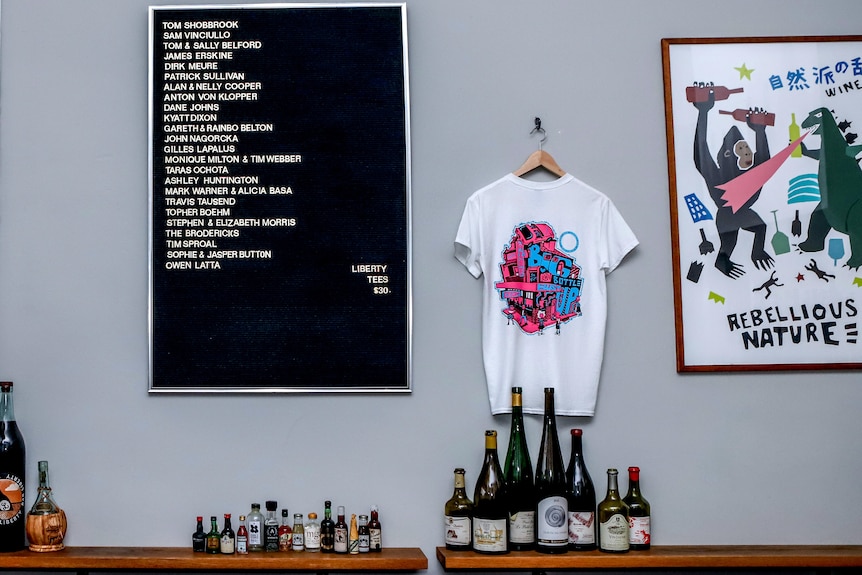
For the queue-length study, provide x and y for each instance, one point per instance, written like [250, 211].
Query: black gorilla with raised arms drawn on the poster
[734, 158]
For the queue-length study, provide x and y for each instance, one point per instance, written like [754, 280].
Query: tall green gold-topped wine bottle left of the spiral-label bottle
[518, 479]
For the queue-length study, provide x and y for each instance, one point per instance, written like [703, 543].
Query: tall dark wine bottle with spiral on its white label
[552, 528]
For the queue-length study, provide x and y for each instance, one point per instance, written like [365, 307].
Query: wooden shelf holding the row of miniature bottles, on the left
[84, 559]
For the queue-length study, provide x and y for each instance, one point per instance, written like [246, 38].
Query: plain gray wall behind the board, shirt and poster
[726, 458]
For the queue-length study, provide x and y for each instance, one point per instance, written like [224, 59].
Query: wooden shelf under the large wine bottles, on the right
[663, 557]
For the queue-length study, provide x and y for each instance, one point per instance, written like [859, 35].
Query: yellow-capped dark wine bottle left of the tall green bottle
[490, 516]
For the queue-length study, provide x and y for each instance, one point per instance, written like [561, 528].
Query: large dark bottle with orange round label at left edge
[12, 465]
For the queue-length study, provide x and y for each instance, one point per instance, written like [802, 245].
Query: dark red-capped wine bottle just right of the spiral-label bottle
[582, 498]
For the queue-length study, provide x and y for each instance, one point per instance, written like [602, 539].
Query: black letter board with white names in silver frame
[279, 198]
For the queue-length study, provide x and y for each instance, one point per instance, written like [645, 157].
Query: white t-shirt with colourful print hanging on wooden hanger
[544, 249]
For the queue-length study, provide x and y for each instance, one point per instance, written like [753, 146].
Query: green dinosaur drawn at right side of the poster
[840, 180]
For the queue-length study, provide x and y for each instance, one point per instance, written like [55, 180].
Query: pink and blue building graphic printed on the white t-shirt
[541, 284]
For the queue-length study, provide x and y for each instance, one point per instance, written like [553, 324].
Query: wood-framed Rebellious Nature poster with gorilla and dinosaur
[766, 201]
